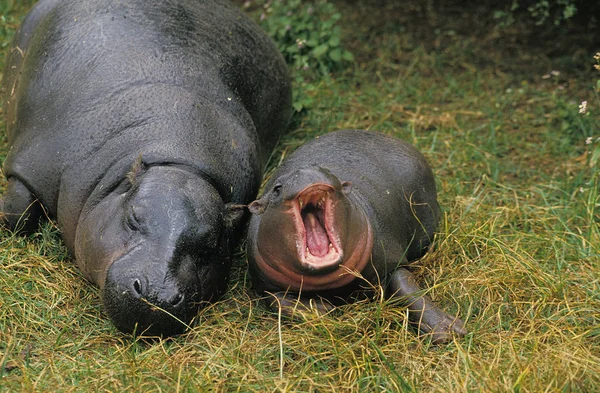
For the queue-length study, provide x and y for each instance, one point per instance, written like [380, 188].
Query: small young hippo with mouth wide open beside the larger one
[348, 202]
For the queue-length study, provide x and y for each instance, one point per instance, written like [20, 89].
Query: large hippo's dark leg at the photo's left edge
[19, 208]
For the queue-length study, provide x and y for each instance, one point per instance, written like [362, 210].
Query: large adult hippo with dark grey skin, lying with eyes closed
[141, 126]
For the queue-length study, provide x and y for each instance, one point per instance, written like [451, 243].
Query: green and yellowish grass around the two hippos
[517, 256]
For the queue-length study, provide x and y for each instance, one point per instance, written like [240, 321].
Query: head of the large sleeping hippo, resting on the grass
[157, 247]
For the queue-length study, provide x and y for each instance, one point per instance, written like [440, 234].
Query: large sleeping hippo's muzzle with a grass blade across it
[147, 293]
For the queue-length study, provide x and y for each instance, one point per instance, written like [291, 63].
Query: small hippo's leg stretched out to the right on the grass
[429, 318]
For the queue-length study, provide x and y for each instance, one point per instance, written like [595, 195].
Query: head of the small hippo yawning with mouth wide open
[307, 233]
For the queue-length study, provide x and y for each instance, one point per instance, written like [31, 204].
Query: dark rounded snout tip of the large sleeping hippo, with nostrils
[147, 302]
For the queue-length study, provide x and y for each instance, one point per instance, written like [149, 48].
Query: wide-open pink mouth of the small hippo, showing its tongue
[318, 243]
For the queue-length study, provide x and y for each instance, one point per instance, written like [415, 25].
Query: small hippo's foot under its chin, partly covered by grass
[292, 305]
